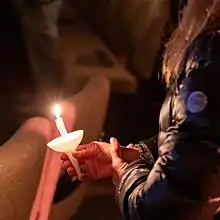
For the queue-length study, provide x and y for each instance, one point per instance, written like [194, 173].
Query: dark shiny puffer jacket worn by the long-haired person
[184, 181]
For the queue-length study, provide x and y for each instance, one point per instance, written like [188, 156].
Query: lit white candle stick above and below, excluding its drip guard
[63, 132]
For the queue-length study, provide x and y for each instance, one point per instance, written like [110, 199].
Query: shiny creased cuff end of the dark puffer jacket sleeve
[132, 176]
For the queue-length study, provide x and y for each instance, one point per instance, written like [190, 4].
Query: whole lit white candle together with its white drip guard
[67, 142]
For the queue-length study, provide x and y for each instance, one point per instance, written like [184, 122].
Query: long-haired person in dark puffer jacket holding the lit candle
[177, 174]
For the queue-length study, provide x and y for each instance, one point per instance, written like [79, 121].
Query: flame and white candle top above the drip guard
[59, 120]
